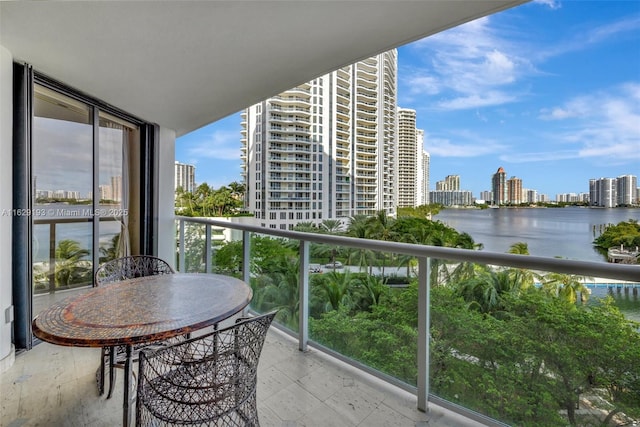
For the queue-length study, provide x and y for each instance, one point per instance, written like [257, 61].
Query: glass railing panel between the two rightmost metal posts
[352, 309]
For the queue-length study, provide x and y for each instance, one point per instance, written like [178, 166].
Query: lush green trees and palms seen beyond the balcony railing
[520, 353]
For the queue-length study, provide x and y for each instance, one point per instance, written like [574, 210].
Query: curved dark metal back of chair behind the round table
[130, 267]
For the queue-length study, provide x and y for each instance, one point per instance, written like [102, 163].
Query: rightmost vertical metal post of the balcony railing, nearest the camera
[424, 269]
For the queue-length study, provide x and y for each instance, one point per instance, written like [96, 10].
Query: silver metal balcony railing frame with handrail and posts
[424, 254]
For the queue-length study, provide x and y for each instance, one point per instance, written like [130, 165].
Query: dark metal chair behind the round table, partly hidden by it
[115, 270]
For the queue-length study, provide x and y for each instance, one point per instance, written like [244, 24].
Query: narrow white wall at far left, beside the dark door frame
[7, 352]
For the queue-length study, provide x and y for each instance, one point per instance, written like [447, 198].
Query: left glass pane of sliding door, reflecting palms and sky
[62, 186]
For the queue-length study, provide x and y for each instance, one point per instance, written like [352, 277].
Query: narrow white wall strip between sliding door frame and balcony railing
[166, 217]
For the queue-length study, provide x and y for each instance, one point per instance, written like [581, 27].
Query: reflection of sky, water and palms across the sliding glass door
[79, 193]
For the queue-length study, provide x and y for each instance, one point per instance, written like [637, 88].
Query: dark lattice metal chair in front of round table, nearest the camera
[209, 380]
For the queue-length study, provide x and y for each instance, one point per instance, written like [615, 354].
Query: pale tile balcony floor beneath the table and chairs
[55, 386]
